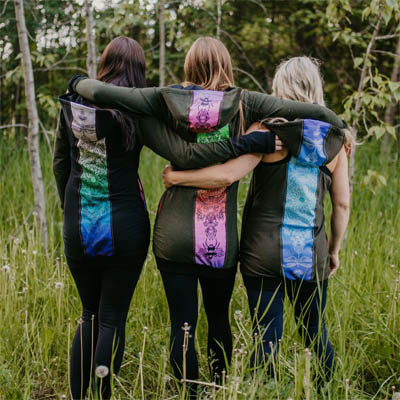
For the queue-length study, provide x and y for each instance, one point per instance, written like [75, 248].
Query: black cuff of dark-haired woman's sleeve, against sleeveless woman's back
[255, 142]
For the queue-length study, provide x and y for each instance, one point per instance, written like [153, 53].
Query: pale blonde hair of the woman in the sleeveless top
[299, 79]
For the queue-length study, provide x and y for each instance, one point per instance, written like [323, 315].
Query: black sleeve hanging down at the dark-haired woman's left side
[61, 158]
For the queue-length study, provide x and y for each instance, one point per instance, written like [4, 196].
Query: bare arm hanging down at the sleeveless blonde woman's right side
[340, 197]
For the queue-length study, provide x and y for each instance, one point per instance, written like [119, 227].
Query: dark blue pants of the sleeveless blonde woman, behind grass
[309, 300]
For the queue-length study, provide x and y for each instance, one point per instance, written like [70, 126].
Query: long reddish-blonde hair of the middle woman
[209, 65]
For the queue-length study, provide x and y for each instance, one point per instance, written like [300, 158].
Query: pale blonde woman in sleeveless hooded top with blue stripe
[284, 249]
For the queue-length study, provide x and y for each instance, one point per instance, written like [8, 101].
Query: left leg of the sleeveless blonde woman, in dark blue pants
[266, 310]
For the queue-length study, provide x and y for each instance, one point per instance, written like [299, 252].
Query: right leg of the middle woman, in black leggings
[217, 295]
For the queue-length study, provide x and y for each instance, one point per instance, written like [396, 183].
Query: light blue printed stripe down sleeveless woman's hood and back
[297, 232]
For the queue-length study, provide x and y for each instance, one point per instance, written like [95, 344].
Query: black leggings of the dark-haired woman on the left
[106, 293]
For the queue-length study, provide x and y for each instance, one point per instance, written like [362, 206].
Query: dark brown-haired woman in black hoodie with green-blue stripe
[106, 225]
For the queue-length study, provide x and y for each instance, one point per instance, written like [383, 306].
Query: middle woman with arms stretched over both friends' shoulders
[195, 234]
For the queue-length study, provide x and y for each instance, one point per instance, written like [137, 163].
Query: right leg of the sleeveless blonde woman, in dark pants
[310, 301]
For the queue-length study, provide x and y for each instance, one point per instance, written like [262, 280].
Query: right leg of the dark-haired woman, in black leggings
[117, 287]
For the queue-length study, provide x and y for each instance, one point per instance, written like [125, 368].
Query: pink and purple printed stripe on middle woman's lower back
[210, 227]
